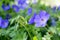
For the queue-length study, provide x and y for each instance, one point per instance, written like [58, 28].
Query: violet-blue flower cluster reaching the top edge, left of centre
[21, 4]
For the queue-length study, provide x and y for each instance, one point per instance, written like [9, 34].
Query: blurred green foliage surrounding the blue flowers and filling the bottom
[19, 29]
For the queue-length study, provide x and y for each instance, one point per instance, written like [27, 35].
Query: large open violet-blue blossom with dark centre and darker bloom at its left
[40, 19]
